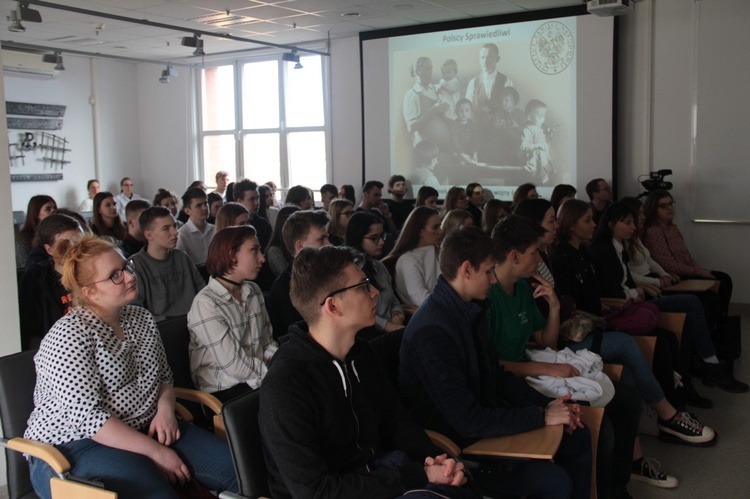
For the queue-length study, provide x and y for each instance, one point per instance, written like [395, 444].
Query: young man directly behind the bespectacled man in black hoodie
[303, 229]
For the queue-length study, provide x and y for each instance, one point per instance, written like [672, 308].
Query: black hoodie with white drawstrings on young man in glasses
[323, 421]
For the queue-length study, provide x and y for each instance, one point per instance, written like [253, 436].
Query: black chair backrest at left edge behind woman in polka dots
[17, 381]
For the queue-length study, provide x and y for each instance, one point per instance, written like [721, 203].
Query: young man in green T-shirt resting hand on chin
[514, 319]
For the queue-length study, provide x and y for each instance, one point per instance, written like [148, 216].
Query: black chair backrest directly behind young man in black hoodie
[243, 435]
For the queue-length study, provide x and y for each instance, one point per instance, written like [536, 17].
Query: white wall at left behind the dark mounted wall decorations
[113, 92]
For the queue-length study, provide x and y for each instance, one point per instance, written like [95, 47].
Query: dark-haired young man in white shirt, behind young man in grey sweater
[194, 237]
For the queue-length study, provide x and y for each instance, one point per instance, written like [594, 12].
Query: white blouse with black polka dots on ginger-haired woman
[85, 375]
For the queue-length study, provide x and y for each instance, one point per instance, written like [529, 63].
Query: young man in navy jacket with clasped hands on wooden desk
[451, 376]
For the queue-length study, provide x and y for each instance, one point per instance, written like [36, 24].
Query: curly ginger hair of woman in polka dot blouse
[76, 259]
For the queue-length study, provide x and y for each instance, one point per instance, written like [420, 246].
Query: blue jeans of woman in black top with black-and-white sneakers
[620, 347]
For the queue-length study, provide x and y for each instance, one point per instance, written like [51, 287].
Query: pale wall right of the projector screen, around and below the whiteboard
[657, 85]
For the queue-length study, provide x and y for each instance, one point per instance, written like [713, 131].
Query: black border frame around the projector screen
[502, 19]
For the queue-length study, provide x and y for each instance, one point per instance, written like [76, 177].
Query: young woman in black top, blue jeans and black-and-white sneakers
[575, 276]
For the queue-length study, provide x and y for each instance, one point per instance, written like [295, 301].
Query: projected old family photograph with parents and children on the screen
[469, 113]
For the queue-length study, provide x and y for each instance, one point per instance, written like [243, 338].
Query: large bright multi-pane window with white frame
[265, 120]
